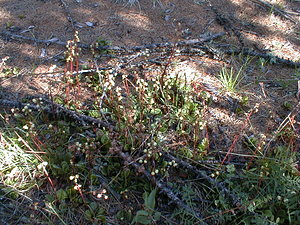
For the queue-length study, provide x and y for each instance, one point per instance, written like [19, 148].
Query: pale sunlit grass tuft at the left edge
[19, 175]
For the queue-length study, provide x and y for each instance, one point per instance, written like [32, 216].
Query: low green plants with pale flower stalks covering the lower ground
[140, 153]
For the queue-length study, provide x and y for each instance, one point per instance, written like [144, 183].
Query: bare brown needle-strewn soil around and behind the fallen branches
[249, 22]
